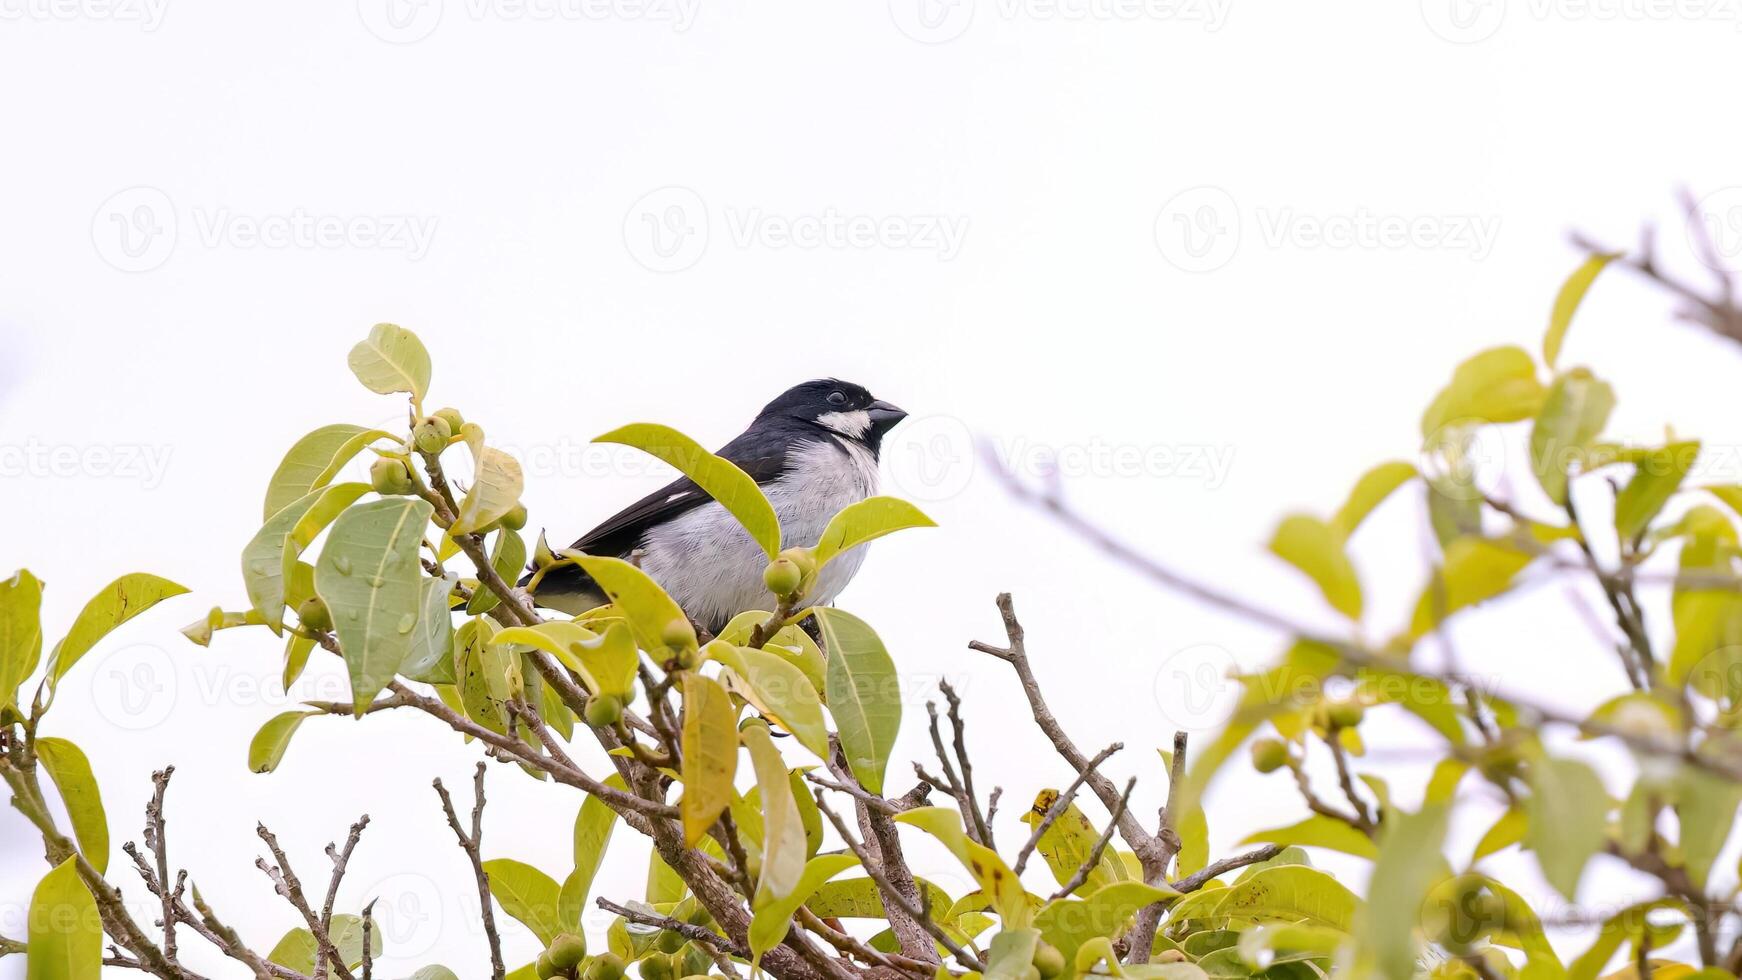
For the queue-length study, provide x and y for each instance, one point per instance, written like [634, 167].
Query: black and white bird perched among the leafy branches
[814, 450]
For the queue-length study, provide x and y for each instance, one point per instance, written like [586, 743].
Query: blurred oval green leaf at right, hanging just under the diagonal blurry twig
[1569, 819]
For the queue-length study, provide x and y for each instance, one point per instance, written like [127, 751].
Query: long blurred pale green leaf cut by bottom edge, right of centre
[1407, 868]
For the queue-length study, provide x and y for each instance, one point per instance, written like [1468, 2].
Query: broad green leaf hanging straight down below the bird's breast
[863, 692]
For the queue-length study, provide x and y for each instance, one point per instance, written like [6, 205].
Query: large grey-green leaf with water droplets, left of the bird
[368, 577]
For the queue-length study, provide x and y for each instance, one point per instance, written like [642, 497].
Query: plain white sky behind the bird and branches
[1003, 189]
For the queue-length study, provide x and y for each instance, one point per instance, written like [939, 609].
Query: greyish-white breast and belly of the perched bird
[712, 567]
